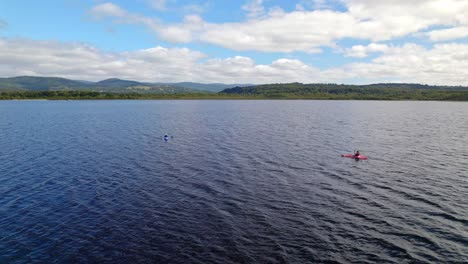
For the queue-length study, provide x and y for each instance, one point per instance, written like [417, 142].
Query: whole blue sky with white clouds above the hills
[237, 41]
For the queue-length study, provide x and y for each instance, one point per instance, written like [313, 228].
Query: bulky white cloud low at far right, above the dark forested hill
[444, 64]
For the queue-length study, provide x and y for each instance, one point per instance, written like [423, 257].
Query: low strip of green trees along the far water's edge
[372, 94]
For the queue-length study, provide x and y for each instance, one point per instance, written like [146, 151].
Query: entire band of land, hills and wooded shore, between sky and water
[59, 88]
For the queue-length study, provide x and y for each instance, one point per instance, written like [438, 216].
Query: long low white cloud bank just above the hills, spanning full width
[445, 64]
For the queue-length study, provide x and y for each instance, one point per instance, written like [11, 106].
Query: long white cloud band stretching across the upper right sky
[302, 30]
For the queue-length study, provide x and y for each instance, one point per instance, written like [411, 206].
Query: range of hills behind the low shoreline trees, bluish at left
[288, 90]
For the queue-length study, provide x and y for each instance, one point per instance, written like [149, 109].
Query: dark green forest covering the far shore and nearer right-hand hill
[268, 91]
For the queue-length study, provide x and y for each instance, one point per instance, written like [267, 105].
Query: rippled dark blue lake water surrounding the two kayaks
[238, 182]
